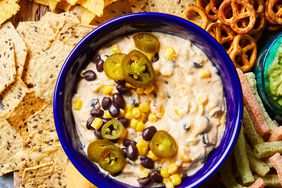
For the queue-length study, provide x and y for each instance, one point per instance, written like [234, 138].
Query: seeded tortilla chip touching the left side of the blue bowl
[41, 128]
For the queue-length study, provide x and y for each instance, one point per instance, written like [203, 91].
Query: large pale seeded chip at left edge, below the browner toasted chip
[11, 145]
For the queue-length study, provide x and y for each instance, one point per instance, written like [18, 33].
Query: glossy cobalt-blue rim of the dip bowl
[119, 20]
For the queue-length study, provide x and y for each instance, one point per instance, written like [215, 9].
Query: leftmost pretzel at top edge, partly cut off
[210, 7]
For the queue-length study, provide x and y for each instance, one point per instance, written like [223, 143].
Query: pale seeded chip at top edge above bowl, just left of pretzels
[174, 7]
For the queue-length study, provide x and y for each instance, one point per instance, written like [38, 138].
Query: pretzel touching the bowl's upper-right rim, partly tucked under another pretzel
[222, 33]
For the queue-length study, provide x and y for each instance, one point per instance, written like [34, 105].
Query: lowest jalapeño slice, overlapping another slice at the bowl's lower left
[112, 160]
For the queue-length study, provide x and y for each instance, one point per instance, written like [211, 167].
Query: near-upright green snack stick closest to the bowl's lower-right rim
[241, 159]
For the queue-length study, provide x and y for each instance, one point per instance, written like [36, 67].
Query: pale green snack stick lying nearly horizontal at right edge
[267, 149]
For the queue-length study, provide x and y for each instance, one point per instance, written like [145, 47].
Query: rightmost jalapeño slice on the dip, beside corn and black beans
[163, 144]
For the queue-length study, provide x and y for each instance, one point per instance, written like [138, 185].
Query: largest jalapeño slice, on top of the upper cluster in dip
[137, 69]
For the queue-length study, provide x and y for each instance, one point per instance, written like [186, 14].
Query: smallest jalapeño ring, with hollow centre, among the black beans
[112, 130]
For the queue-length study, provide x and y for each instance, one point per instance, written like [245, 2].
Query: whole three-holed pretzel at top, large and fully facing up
[242, 11]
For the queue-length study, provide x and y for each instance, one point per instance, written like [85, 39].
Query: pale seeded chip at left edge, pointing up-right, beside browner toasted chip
[12, 96]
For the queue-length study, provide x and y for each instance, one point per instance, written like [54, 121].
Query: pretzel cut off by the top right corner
[274, 10]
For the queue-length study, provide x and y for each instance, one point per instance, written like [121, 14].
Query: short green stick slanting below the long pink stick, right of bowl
[250, 131]
